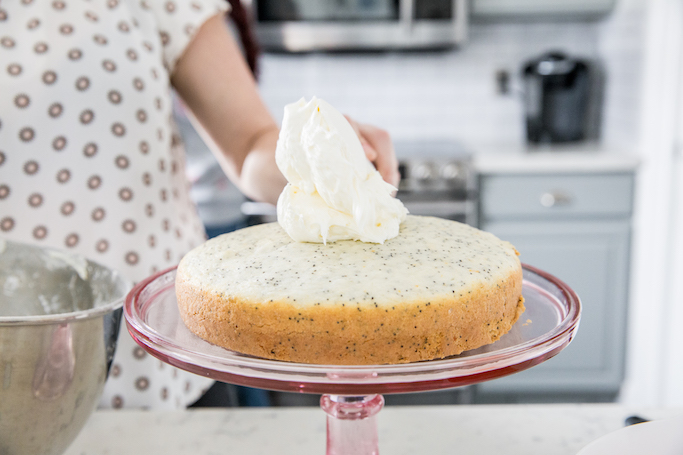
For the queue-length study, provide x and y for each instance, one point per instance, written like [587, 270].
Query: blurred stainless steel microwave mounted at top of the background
[350, 25]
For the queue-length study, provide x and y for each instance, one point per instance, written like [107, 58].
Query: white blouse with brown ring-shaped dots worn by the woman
[90, 159]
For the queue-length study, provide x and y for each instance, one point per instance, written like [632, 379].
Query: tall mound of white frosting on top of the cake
[334, 192]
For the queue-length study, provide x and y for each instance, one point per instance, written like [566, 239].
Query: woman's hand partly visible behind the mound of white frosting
[378, 149]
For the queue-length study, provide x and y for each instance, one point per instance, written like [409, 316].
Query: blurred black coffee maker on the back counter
[561, 97]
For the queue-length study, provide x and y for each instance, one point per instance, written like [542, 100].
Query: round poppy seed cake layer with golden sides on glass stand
[437, 289]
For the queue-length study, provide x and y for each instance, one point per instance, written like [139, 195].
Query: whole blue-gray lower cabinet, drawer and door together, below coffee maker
[576, 226]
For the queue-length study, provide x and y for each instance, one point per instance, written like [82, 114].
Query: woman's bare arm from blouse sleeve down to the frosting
[215, 83]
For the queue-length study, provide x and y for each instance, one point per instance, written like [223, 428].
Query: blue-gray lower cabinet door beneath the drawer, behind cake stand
[592, 258]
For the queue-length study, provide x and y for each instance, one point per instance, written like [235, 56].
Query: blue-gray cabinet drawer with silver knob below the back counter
[512, 196]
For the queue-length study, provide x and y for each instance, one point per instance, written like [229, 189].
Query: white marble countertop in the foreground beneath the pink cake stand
[463, 430]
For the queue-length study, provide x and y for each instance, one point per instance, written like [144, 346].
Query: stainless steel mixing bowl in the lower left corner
[59, 322]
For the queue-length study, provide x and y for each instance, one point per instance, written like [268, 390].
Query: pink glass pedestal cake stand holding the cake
[351, 395]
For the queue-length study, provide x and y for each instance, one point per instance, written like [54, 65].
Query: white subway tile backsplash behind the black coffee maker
[453, 94]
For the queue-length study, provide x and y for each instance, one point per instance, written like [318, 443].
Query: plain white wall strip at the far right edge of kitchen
[655, 361]
